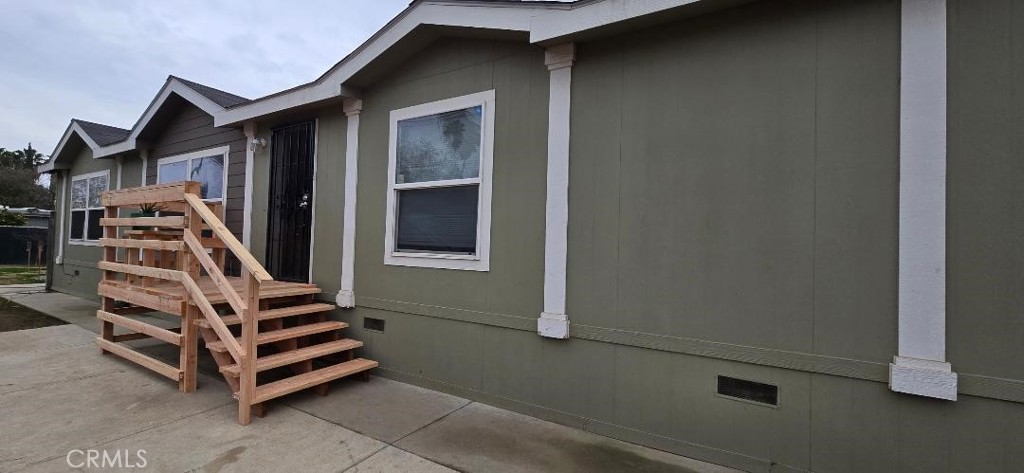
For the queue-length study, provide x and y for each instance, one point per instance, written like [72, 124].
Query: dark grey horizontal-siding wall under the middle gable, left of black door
[193, 131]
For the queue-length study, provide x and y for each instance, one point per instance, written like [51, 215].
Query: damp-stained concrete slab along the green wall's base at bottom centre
[482, 439]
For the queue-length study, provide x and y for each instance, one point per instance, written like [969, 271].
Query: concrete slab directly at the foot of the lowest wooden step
[382, 409]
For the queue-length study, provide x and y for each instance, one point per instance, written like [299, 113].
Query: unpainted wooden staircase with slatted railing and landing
[258, 329]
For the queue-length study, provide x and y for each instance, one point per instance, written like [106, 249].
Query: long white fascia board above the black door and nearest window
[332, 84]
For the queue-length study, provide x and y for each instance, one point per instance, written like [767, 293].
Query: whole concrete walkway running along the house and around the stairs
[60, 395]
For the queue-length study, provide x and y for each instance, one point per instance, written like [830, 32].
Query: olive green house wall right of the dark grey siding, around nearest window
[734, 211]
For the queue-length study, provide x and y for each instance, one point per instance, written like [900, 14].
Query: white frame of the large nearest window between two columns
[481, 262]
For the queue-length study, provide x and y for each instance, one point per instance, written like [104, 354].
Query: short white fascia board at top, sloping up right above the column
[595, 15]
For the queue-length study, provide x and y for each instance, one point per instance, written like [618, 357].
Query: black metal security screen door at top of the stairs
[291, 202]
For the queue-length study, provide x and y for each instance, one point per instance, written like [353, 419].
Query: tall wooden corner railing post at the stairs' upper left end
[190, 330]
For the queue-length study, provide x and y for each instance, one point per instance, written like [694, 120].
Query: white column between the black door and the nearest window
[347, 296]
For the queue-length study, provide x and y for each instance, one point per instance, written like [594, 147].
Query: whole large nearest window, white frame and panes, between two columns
[439, 203]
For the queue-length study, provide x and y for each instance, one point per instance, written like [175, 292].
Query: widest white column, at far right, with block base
[921, 367]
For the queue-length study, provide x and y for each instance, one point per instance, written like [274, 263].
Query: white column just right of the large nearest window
[553, 323]
